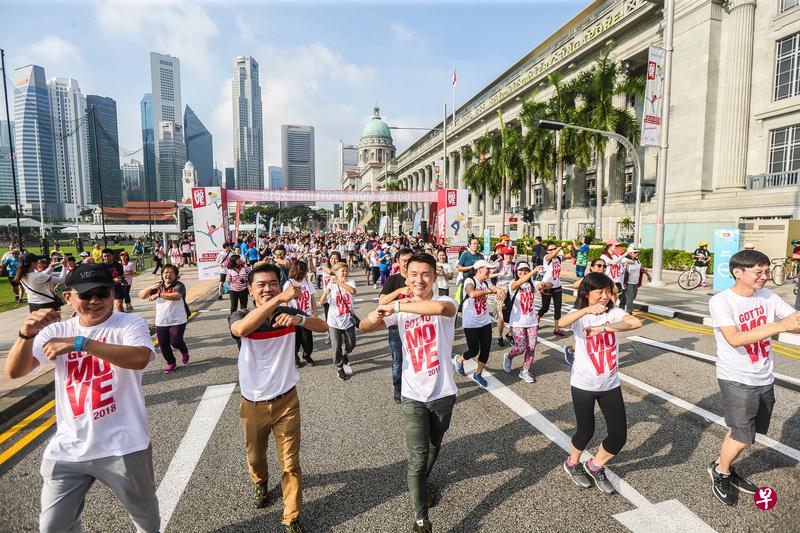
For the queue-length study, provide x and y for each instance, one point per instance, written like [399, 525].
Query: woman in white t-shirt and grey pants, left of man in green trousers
[339, 295]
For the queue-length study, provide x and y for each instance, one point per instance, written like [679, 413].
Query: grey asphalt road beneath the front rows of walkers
[499, 470]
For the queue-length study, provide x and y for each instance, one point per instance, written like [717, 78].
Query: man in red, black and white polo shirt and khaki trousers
[267, 381]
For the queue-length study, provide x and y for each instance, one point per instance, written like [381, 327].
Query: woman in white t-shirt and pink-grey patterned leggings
[522, 320]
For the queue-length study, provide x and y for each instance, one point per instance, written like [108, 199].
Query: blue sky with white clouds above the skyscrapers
[323, 64]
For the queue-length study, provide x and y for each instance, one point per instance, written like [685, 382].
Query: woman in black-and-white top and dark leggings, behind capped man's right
[171, 315]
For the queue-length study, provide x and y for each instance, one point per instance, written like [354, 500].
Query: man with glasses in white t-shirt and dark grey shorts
[745, 317]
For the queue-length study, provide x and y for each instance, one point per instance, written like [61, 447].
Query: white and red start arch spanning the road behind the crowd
[211, 226]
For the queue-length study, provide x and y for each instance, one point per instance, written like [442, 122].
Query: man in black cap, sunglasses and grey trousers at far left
[101, 423]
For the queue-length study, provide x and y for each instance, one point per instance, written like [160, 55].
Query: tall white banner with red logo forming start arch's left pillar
[209, 233]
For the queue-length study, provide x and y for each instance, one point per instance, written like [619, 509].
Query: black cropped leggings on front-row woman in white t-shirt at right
[613, 409]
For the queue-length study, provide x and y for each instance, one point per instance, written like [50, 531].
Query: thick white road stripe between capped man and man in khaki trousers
[191, 448]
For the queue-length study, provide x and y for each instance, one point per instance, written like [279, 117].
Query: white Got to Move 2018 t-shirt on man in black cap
[99, 406]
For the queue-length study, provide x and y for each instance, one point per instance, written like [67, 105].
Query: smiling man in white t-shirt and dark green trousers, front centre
[427, 329]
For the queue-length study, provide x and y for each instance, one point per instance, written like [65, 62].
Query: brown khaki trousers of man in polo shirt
[282, 418]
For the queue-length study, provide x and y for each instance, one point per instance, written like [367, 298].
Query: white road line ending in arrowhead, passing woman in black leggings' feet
[670, 516]
